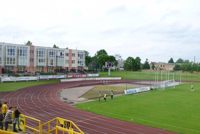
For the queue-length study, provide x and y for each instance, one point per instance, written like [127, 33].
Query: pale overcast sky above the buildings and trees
[152, 29]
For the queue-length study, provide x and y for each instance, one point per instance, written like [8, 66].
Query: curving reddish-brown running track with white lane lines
[43, 102]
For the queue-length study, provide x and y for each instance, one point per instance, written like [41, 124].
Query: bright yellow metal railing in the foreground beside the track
[55, 126]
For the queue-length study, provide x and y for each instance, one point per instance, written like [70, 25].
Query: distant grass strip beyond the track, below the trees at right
[144, 75]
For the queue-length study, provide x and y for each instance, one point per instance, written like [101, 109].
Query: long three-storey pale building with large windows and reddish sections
[30, 59]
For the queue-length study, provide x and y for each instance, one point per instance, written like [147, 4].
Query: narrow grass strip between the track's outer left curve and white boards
[13, 86]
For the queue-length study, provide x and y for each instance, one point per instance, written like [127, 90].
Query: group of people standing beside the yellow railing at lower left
[9, 115]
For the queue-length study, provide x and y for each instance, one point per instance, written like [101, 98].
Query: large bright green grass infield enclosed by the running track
[176, 109]
